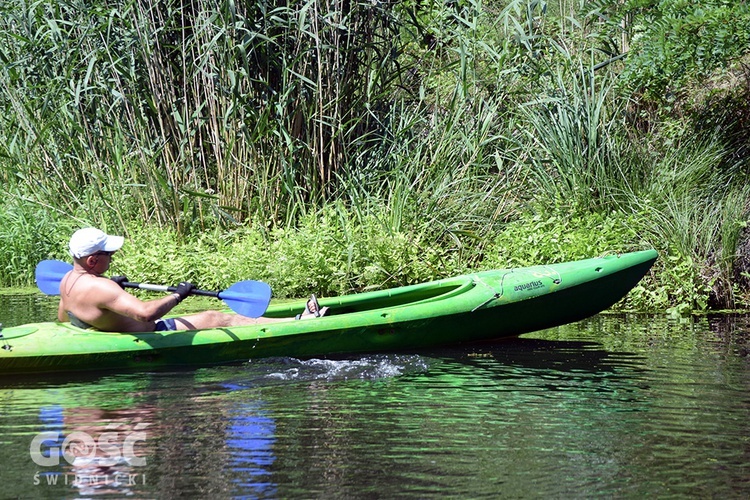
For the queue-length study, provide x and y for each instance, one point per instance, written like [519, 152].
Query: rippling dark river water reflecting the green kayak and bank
[615, 406]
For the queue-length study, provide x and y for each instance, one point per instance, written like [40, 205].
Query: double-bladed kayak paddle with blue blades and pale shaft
[248, 298]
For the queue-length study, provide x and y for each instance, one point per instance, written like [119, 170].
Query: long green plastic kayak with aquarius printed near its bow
[474, 307]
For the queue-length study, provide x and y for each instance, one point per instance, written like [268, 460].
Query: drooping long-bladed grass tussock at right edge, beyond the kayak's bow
[701, 210]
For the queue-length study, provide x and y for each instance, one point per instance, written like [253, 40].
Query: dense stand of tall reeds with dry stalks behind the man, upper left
[177, 111]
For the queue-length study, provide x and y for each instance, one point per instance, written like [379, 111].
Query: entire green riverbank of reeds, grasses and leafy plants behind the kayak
[337, 146]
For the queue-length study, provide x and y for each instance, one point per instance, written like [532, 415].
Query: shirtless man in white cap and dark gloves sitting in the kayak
[87, 299]
